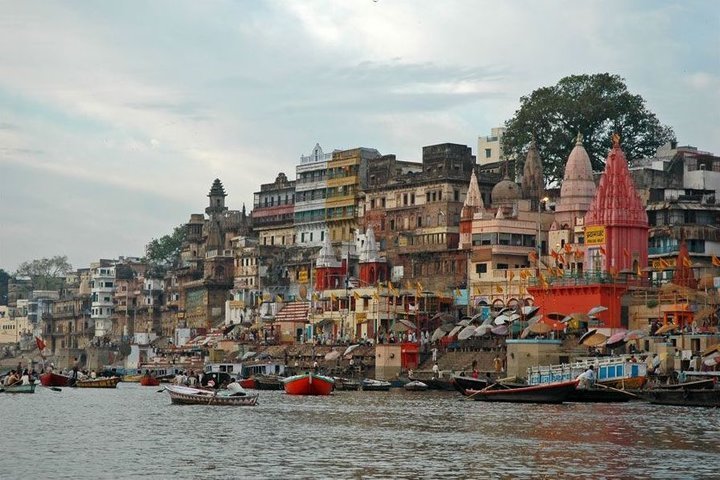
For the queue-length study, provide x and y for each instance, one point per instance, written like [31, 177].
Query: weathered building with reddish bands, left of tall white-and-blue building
[273, 212]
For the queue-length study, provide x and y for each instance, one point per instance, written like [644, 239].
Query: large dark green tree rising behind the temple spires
[593, 105]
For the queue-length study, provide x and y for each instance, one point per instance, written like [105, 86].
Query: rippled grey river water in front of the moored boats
[134, 432]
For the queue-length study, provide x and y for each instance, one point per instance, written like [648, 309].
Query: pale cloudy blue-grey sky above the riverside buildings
[116, 117]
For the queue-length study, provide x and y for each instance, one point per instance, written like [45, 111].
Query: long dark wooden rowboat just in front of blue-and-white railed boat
[544, 393]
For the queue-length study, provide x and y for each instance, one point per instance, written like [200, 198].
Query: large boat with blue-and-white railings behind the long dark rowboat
[615, 372]
